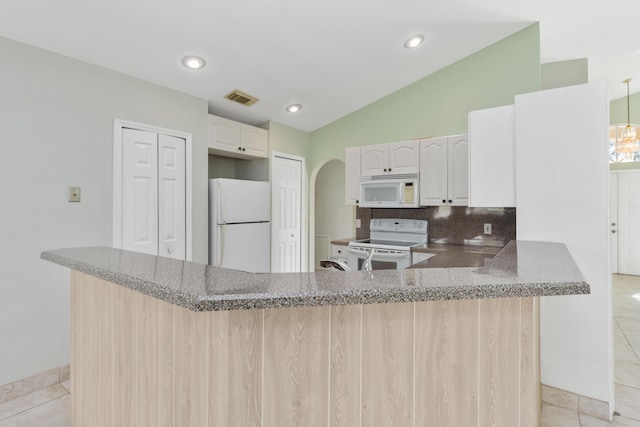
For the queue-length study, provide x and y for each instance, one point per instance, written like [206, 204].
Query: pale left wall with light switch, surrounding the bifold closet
[56, 131]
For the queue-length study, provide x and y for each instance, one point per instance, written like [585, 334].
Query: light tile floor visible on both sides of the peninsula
[50, 406]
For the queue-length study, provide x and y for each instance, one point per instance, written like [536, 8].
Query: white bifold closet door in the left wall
[153, 193]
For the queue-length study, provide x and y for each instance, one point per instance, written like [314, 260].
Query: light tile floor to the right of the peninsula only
[626, 328]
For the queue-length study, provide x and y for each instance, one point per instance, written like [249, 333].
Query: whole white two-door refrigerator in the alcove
[239, 231]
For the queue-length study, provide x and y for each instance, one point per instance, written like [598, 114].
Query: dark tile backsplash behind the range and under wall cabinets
[451, 224]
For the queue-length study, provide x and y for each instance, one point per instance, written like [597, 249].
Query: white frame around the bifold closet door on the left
[118, 126]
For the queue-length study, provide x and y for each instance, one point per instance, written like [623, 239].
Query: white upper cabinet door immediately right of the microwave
[433, 171]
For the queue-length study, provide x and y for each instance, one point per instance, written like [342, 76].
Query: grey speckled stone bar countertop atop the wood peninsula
[521, 269]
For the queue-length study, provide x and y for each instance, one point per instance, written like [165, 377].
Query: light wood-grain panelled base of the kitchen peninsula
[139, 361]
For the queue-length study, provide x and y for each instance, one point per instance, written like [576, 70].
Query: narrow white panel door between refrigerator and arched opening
[287, 215]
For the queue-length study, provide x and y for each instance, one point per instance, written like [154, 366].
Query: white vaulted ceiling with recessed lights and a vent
[332, 56]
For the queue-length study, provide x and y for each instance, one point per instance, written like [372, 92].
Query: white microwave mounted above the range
[389, 193]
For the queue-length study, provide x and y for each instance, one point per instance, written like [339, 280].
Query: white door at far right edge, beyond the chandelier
[629, 223]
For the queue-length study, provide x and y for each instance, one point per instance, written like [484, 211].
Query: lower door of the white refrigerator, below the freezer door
[244, 247]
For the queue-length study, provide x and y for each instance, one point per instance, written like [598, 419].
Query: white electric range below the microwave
[389, 244]
